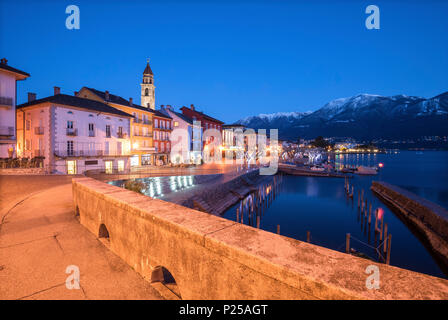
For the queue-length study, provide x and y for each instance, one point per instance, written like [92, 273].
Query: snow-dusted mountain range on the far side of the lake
[363, 116]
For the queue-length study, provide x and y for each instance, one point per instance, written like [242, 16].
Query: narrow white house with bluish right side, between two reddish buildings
[193, 151]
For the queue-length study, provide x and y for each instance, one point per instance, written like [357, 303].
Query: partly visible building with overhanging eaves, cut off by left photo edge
[8, 86]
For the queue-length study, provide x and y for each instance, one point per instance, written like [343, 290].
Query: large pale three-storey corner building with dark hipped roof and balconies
[73, 134]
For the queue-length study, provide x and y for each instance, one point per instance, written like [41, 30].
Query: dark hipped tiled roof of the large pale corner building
[74, 101]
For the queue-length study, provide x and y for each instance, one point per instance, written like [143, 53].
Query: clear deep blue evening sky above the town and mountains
[231, 59]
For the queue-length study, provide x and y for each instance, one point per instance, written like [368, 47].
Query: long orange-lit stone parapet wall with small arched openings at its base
[214, 258]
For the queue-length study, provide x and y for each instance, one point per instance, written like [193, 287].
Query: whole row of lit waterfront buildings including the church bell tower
[94, 129]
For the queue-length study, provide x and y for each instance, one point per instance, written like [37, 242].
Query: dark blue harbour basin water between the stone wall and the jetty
[319, 208]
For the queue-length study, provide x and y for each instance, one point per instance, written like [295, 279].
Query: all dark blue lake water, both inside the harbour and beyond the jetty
[320, 205]
